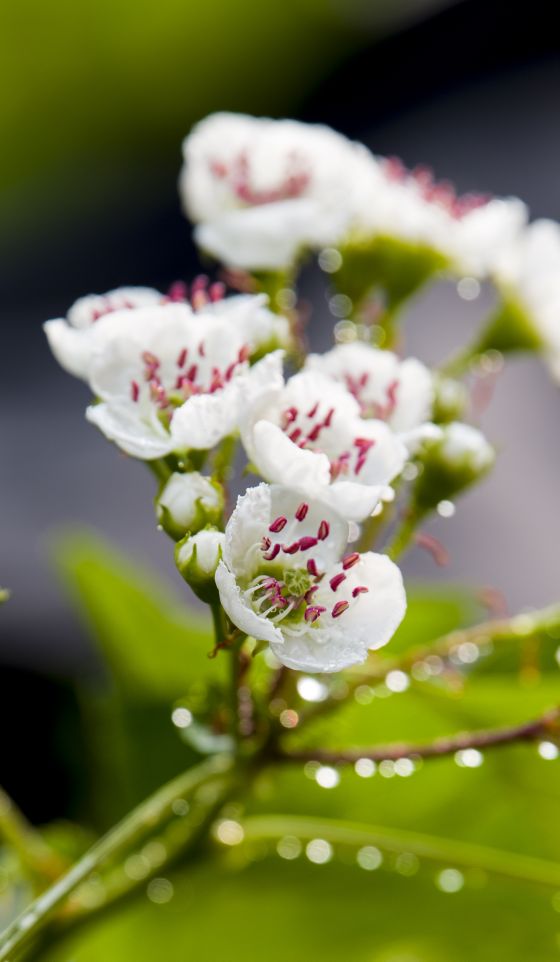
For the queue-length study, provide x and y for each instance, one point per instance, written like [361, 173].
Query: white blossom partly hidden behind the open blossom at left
[93, 321]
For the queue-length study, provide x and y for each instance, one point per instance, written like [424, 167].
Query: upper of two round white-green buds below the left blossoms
[188, 502]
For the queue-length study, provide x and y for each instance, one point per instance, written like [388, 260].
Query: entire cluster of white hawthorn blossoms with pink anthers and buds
[352, 448]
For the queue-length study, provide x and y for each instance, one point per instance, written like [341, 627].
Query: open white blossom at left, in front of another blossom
[173, 381]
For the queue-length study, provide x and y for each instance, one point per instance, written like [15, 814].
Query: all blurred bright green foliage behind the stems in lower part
[269, 907]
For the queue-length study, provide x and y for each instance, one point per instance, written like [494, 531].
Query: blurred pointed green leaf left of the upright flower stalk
[154, 647]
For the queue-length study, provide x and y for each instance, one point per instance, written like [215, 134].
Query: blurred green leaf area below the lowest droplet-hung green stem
[279, 910]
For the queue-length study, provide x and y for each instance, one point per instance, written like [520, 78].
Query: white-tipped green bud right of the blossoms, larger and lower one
[459, 458]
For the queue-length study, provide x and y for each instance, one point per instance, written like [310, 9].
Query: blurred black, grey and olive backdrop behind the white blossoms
[95, 99]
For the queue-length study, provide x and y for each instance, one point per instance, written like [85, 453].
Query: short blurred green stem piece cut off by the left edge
[36, 857]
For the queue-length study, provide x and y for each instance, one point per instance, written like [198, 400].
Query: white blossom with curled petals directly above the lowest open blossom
[307, 434]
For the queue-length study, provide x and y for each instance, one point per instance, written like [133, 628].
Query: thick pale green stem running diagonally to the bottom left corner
[148, 817]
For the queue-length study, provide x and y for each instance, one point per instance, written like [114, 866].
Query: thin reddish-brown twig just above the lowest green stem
[548, 724]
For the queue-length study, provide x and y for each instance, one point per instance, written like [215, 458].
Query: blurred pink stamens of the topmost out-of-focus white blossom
[237, 175]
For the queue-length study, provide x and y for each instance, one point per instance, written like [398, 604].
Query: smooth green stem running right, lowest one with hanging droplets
[445, 851]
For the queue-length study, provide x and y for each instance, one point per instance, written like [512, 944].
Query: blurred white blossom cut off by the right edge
[528, 274]
